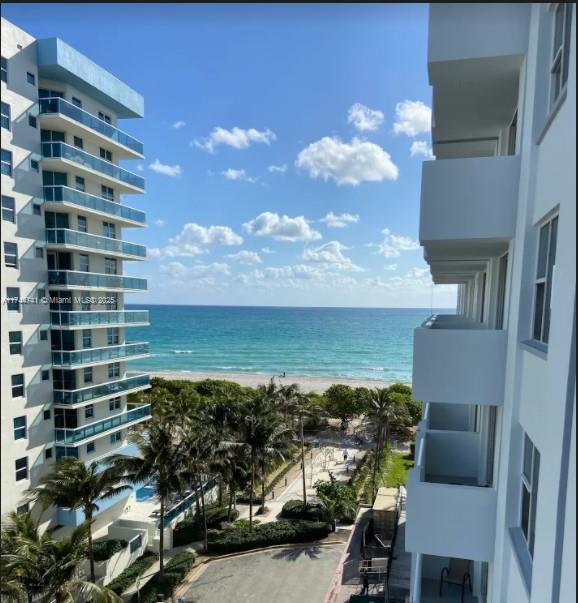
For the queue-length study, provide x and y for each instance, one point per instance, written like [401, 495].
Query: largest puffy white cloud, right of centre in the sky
[347, 163]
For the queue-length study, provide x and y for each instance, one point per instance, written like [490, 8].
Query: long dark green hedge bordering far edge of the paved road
[267, 534]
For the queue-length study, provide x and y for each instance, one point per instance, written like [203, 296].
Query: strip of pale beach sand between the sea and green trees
[307, 384]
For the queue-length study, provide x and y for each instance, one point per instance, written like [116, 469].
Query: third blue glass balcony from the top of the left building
[57, 197]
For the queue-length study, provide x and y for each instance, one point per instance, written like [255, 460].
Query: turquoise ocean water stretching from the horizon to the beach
[338, 342]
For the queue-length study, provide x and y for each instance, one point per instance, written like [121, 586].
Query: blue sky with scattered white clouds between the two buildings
[283, 147]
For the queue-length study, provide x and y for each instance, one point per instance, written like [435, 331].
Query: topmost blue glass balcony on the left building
[53, 110]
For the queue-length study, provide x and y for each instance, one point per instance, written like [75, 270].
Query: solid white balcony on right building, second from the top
[468, 207]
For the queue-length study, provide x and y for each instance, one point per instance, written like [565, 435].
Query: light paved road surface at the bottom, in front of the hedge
[292, 575]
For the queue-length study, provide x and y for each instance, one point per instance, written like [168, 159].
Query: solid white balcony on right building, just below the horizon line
[459, 362]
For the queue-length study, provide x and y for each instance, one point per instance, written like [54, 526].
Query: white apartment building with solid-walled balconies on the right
[491, 504]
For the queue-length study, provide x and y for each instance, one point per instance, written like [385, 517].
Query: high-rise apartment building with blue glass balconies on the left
[65, 333]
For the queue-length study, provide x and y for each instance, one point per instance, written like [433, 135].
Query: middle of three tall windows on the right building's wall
[544, 277]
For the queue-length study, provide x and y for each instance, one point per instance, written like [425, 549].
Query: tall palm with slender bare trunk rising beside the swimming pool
[159, 462]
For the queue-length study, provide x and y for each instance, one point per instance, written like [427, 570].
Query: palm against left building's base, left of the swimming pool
[74, 485]
